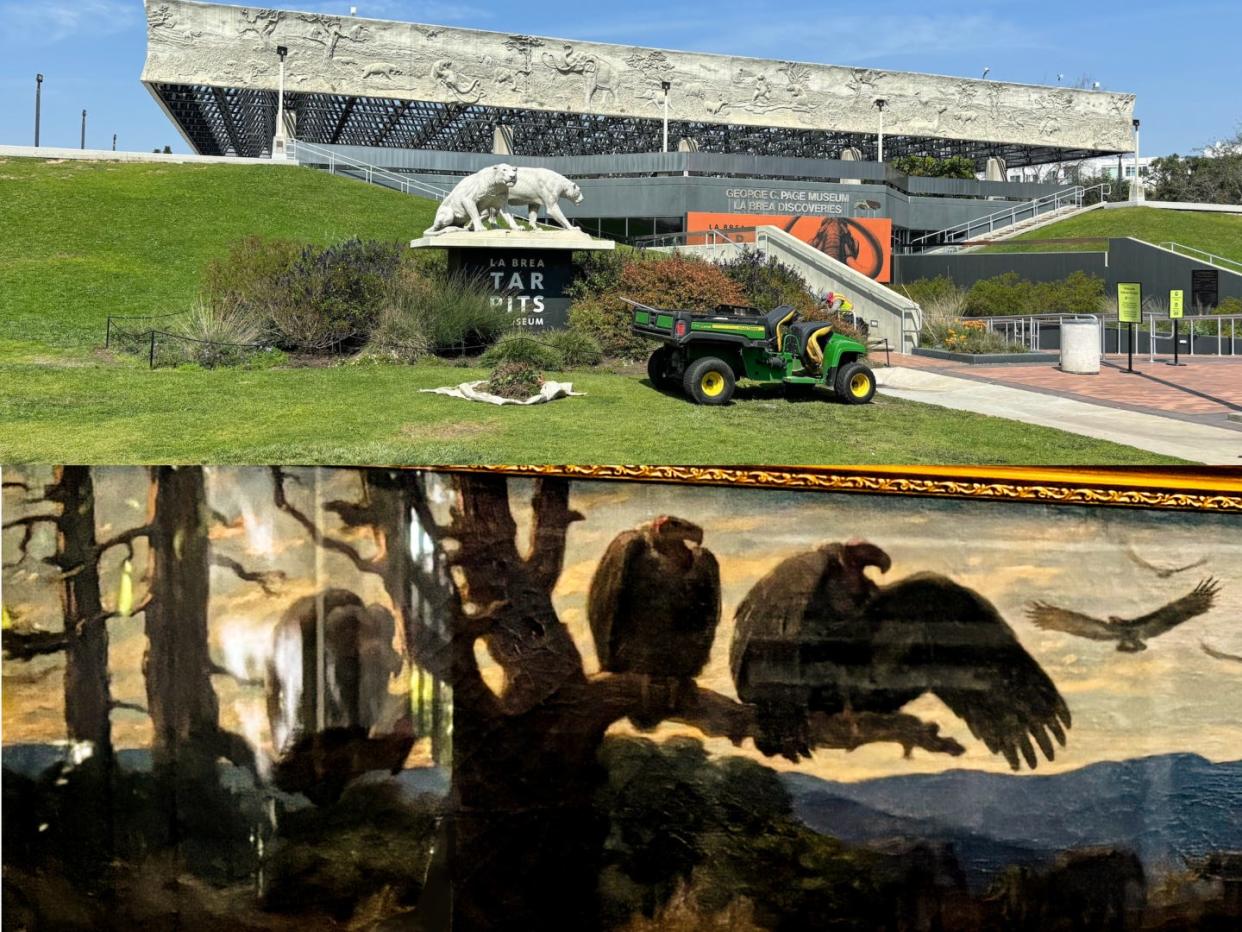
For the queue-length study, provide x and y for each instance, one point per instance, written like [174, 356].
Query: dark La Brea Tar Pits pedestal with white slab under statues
[528, 273]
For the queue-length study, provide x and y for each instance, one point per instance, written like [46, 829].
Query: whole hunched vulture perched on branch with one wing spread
[818, 636]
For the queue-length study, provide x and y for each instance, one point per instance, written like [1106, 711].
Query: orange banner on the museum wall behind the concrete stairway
[864, 244]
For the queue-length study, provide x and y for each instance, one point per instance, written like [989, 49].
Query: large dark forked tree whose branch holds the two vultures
[524, 843]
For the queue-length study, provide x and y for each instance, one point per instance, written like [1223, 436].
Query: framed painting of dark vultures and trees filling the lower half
[263, 698]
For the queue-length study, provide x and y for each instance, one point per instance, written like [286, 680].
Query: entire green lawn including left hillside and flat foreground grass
[83, 240]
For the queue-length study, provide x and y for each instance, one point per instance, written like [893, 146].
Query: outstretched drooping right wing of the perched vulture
[938, 637]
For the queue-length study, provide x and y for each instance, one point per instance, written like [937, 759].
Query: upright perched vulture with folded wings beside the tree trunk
[655, 603]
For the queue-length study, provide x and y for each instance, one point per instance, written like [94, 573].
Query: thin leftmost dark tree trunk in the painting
[88, 700]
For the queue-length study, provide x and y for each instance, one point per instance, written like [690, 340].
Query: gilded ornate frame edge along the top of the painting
[1217, 490]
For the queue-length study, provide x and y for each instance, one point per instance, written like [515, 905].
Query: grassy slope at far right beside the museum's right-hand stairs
[1214, 233]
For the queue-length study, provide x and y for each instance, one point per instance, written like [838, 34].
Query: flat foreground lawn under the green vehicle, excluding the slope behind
[377, 416]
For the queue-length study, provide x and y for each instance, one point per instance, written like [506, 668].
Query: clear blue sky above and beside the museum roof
[1182, 60]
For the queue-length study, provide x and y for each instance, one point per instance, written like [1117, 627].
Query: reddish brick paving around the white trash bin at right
[1205, 390]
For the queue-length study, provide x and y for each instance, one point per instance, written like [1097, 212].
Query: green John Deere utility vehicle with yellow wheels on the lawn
[706, 355]
